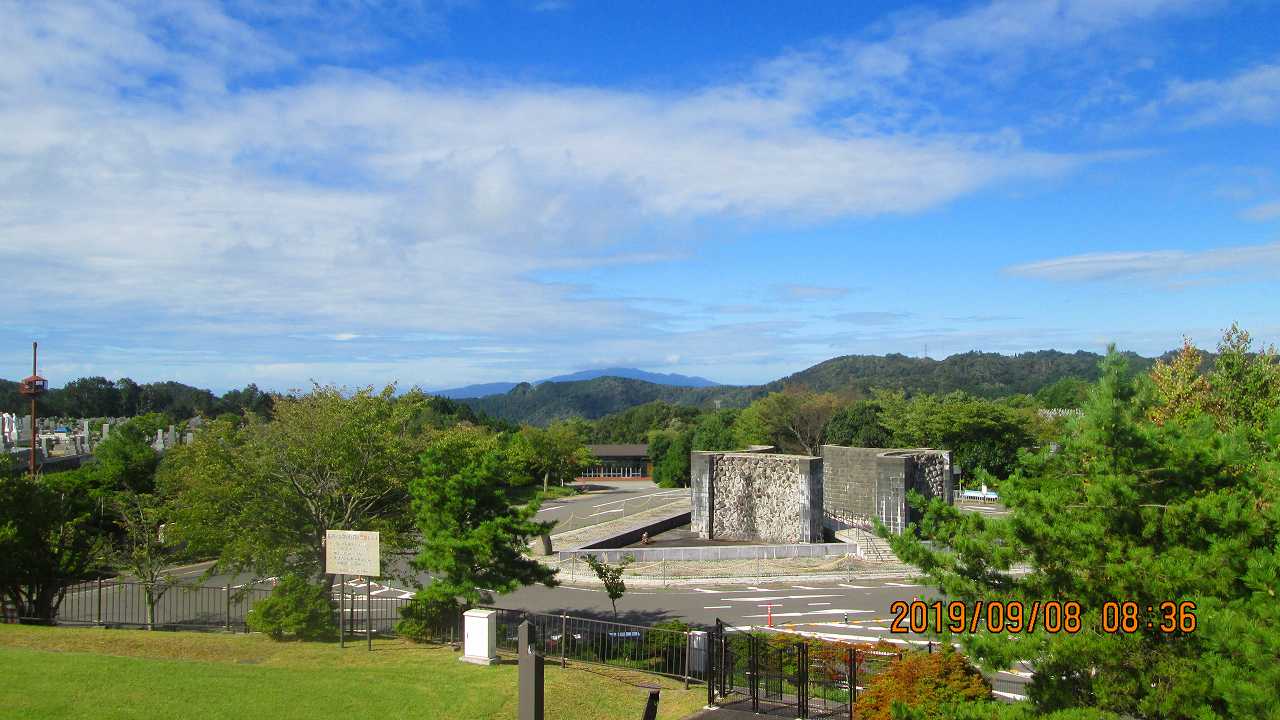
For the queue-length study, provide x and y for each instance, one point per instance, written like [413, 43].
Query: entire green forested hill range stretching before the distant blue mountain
[988, 375]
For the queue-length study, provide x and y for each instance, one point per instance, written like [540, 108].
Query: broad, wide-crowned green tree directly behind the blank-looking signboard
[260, 495]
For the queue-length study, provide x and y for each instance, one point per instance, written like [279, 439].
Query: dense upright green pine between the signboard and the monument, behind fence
[473, 540]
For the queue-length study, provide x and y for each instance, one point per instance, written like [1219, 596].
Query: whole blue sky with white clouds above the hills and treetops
[451, 193]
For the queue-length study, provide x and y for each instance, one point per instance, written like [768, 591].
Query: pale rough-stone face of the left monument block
[774, 499]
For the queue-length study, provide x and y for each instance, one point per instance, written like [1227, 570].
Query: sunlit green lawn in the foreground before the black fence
[106, 675]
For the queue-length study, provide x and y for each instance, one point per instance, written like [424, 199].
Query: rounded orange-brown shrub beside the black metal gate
[924, 682]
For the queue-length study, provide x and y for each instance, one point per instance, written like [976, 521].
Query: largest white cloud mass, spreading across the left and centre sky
[170, 180]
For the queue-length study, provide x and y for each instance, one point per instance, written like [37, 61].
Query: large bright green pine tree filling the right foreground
[1131, 511]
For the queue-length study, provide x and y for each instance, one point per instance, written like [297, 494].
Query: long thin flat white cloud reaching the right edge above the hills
[1160, 266]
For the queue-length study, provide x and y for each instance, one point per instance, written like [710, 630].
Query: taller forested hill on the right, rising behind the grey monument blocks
[988, 375]
